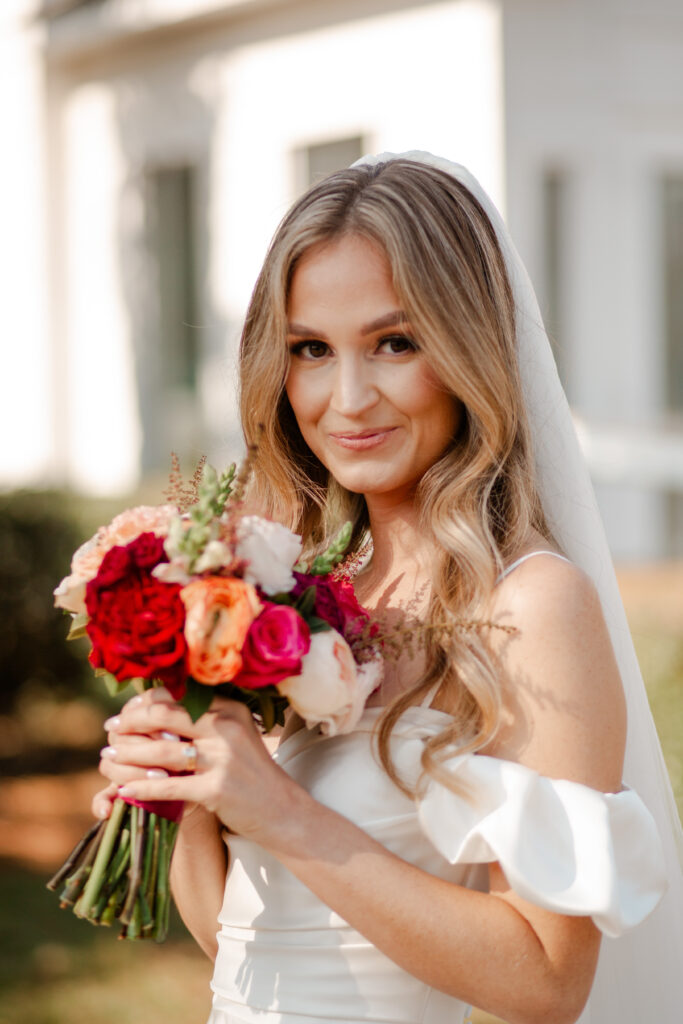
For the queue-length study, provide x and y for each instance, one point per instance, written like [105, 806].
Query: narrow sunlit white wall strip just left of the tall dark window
[103, 433]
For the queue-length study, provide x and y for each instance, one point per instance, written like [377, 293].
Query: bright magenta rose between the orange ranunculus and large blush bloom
[277, 642]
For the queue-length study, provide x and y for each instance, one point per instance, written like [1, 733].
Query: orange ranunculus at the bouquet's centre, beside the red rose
[220, 612]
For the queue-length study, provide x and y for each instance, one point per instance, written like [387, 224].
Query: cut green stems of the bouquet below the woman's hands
[119, 872]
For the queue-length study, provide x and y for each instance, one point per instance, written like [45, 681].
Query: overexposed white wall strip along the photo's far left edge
[25, 379]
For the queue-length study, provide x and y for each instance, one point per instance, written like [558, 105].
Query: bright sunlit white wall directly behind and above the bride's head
[402, 81]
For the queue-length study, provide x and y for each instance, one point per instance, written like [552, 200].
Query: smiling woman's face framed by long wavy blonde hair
[367, 403]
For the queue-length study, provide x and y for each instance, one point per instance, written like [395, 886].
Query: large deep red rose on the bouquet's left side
[137, 622]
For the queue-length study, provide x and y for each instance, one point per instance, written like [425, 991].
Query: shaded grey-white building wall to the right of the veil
[596, 91]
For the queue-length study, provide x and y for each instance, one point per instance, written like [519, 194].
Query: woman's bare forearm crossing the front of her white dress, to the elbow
[476, 947]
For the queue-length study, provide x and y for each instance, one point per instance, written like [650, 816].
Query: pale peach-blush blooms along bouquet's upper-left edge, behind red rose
[88, 560]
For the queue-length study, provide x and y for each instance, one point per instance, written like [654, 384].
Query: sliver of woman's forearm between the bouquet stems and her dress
[198, 876]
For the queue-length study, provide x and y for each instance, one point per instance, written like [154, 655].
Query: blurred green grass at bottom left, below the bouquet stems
[56, 969]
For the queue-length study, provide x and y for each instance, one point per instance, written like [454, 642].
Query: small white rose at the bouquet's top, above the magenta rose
[271, 551]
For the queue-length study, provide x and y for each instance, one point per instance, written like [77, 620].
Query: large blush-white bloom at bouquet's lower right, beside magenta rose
[332, 690]
